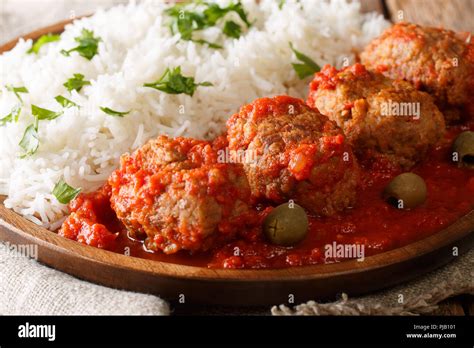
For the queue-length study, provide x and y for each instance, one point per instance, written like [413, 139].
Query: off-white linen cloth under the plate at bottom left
[29, 288]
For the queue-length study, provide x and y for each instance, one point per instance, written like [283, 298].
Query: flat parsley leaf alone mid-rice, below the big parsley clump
[173, 82]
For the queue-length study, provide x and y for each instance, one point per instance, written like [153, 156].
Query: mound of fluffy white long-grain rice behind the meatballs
[84, 147]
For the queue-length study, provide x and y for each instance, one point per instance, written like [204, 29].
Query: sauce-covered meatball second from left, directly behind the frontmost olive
[296, 154]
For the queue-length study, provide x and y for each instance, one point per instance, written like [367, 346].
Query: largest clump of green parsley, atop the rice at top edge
[186, 20]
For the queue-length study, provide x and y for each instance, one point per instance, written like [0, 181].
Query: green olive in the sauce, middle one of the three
[405, 191]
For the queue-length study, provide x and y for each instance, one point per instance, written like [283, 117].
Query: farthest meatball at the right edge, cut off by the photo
[440, 62]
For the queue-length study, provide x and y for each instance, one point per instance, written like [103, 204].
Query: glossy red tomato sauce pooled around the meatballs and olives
[371, 223]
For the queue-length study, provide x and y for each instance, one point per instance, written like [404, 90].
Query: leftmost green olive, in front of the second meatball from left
[286, 225]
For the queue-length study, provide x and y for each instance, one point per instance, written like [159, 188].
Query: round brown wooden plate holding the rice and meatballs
[234, 287]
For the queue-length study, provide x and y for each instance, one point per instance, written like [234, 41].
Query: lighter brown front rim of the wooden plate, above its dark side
[41, 236]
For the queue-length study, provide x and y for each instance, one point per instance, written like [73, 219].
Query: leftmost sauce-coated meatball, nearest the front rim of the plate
[175, 194]
